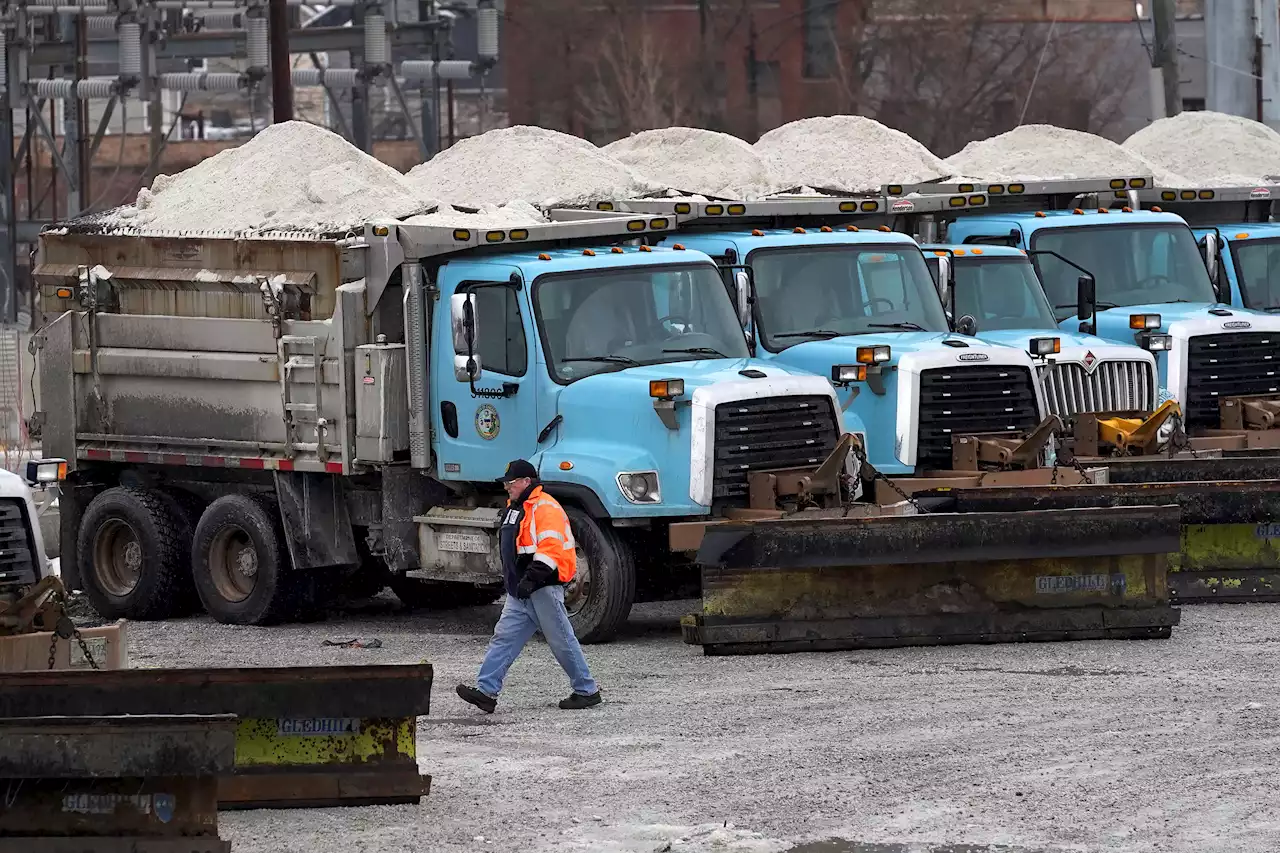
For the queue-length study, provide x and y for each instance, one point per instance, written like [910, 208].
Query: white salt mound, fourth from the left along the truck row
[847, 153]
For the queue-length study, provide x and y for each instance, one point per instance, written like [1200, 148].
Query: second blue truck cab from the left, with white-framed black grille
[858, 305]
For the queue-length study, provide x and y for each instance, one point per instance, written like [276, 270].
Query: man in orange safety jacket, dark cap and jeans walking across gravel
[538, 559]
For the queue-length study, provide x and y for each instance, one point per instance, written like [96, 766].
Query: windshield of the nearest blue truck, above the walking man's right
[621, 318]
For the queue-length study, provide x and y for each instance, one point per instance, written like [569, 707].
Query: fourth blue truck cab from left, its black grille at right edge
[1148, 280]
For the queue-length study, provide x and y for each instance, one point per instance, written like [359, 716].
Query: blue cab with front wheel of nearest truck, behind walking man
[621, 372]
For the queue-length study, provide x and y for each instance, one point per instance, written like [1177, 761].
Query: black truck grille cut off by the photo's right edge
[1229, 366]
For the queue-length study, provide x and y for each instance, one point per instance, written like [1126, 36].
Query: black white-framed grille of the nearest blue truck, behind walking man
[771, 432]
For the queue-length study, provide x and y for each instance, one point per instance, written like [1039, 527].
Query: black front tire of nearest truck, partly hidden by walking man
[605, 587]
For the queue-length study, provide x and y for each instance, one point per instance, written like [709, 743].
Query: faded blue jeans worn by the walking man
[520, 619]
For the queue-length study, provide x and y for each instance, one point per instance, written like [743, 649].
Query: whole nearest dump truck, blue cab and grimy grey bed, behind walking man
[254, 423]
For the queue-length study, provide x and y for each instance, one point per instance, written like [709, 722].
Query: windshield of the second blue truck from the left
[831, 291]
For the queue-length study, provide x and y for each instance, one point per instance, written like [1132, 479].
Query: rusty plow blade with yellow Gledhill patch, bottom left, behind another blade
[304, 737]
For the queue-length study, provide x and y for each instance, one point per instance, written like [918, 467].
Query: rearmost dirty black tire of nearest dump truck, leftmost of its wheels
[135, 555]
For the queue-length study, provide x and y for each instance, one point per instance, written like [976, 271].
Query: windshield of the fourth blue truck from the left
[1133, 266]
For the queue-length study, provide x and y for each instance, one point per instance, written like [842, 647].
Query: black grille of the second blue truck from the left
[966, 402]
